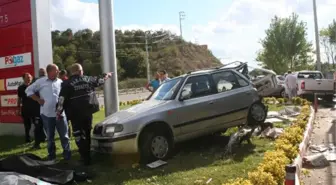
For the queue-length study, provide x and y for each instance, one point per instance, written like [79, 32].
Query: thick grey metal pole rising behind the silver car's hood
[108, 52]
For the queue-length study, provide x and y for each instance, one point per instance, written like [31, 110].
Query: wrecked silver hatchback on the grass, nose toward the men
[183, 108]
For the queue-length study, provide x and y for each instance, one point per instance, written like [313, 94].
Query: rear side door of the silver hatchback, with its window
[234, 96]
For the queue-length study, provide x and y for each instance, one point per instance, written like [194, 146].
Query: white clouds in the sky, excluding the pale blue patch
[234, 35]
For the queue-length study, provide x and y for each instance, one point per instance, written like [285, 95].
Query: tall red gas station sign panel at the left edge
[16, 53]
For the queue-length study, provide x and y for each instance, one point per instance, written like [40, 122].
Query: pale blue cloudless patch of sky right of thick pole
[147, 12]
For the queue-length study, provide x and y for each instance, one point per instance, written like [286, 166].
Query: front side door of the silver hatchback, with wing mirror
[195, 114]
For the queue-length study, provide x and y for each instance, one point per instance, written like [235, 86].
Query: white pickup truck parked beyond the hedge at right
[313, 82]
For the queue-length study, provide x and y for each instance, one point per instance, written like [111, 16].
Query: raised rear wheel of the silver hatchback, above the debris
[257, 114]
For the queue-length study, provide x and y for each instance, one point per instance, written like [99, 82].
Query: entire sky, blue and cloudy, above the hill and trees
[232, 29]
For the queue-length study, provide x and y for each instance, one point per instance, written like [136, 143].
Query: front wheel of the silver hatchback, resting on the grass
[155, 144]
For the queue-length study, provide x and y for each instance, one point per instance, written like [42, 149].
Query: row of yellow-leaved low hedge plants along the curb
[271, 171]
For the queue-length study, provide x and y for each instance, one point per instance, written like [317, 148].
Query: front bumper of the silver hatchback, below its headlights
[126, 144]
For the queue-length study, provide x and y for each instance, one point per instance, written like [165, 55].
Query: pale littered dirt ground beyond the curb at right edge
[324, 132]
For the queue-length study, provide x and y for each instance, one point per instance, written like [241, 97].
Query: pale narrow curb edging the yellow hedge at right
[304, 145]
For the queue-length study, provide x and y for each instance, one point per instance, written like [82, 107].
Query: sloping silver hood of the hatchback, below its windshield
[122, 115]
